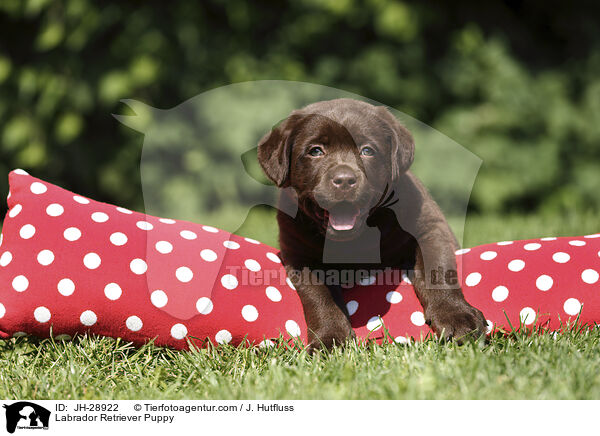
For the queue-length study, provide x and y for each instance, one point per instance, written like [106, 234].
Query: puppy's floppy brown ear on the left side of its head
[275, 150]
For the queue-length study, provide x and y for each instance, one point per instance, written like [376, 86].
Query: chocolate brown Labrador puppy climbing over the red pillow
[347, 163]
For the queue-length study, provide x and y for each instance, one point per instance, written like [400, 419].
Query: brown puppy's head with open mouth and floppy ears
[342, 157]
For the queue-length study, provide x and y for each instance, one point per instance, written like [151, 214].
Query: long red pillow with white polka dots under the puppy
[71, 265]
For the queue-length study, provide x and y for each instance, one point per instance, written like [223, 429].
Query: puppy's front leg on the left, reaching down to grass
[326, 315]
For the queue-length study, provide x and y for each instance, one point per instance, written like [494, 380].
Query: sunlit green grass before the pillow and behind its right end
[520, 366]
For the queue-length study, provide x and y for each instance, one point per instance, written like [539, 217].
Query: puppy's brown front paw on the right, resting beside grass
[456, 319]
